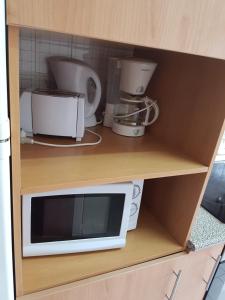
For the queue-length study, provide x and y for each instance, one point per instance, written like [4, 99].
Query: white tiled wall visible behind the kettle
[36, 46]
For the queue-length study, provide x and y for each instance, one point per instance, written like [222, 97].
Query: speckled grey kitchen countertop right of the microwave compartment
[207, 230]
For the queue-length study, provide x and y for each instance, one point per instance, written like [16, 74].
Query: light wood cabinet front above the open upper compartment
[180, 25]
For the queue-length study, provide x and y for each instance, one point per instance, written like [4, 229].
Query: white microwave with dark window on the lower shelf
[80, 219]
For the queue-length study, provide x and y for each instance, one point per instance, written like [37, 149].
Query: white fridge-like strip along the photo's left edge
[6, 248]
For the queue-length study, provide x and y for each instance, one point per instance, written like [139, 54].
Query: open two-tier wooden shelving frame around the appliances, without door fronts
[189, 89]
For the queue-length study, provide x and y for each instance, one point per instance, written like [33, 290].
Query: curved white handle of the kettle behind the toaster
[91, 109]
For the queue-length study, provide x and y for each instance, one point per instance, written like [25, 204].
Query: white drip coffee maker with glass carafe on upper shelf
[128, 111]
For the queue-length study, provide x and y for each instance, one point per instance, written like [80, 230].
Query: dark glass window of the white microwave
[72, 217]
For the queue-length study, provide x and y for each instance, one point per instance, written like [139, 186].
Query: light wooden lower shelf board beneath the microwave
[147, 242]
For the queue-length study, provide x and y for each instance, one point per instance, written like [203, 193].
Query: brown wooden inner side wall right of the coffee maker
[190, 92]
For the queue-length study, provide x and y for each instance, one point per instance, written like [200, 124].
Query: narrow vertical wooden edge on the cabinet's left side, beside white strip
[13, 67]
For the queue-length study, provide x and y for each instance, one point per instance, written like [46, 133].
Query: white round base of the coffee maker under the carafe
[128, 130]
